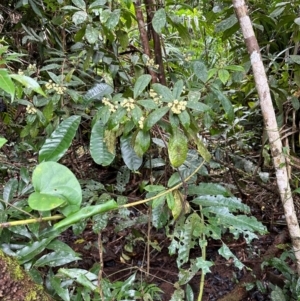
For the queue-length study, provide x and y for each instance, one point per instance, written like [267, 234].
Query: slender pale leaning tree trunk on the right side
[271, 127]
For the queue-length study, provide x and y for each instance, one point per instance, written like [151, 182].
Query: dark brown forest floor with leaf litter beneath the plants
[224, 282]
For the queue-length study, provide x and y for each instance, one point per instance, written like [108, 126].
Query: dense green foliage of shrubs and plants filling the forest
[90, 84]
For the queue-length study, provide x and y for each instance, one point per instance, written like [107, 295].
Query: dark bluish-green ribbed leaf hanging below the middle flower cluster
[131, 159]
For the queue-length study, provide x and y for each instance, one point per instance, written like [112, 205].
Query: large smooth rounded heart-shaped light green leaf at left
[55, 183]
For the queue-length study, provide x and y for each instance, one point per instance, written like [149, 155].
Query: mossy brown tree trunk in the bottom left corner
[16, 284]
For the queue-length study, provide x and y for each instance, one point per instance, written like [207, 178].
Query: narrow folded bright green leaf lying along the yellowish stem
[85, 213]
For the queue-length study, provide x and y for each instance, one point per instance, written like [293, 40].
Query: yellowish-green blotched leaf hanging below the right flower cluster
[177, 148]
